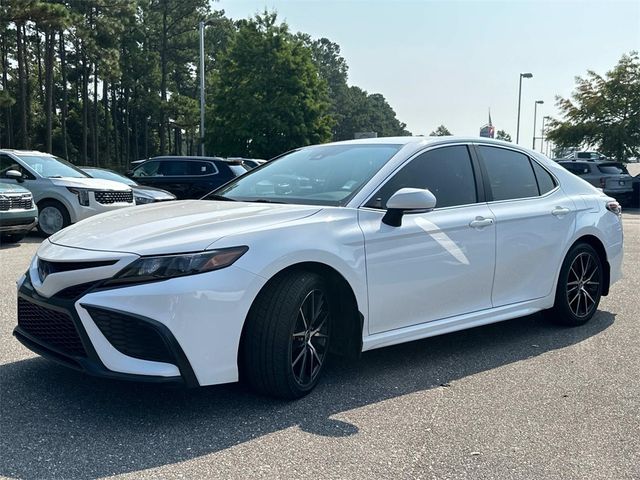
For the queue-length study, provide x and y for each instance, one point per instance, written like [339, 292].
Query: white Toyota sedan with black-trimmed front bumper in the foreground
[335, 248]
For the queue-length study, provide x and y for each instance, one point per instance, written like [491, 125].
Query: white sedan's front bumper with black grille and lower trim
[195, 321]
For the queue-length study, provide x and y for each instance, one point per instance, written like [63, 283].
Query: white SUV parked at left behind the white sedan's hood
[64, 194]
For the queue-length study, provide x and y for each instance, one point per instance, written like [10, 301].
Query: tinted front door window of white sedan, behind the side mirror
[446, 172]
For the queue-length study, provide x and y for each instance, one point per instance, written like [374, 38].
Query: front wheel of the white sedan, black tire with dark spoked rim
[286, 338]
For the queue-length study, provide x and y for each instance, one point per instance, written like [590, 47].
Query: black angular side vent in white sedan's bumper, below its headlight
[131, 336]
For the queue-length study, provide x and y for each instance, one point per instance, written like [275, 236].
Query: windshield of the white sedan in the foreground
[320, 175]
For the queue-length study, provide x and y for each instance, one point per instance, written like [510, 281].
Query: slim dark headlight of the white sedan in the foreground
[151, 269]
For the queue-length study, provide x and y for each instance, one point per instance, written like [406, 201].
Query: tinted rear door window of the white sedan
[510, 173]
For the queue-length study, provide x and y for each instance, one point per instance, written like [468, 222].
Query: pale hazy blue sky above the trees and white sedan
[448, 62]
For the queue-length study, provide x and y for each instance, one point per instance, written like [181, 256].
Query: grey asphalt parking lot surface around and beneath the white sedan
[520, 399]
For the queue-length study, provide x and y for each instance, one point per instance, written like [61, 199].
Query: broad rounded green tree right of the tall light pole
[269, 97]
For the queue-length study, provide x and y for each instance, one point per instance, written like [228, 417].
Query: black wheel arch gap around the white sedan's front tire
[349, 320]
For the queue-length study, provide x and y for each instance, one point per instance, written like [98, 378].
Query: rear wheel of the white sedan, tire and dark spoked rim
[579, 287]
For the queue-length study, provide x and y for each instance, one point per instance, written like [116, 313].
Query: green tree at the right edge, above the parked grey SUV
[604, 111]
